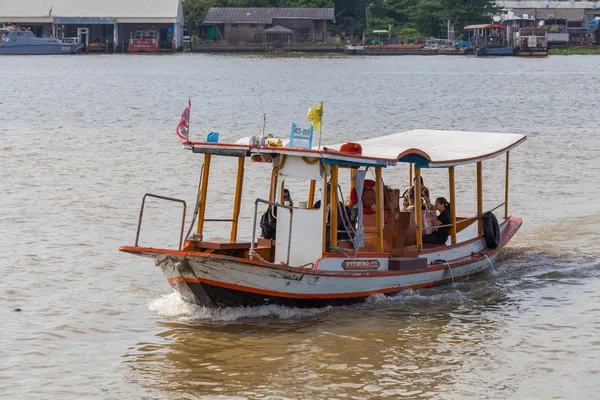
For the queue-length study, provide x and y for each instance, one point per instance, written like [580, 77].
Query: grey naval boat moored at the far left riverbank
[25, 42]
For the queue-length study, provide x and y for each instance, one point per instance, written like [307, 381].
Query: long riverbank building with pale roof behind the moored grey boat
[111, 23]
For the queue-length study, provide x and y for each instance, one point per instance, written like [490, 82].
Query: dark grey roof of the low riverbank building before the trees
[257, 15]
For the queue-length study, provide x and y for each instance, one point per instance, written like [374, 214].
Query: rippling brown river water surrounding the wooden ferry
[83, 138]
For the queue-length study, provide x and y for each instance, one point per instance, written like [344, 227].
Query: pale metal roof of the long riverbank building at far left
[90, 8]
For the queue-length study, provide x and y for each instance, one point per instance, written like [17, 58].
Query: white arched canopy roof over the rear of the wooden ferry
[439, 148]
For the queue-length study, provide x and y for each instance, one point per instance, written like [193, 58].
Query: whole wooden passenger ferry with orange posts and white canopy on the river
[313, 262]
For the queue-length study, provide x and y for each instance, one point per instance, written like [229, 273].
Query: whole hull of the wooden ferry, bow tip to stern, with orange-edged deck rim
[218, 280]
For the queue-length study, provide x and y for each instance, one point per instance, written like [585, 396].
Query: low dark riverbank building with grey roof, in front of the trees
[268, 25]
